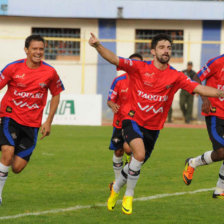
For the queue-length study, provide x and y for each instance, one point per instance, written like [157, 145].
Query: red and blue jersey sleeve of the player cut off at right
[207, 70]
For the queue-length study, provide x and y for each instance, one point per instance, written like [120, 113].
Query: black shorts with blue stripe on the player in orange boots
[215, 127]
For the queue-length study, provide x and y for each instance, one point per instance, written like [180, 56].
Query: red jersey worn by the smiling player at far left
[27, 91]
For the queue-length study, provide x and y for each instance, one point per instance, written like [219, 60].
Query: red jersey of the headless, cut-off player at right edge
[213, 73]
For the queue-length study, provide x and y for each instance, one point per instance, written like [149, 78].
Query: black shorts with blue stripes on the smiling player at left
[23, 138]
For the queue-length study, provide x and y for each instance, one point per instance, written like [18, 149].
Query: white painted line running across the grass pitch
[78, 207]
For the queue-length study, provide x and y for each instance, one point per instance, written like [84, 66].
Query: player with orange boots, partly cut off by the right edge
[213, 110]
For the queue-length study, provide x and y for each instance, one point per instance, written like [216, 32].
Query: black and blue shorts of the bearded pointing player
[132, 130]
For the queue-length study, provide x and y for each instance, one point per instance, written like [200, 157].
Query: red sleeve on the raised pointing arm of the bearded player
[131, 66]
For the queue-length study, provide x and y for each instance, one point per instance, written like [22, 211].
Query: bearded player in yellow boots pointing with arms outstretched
[152, 86]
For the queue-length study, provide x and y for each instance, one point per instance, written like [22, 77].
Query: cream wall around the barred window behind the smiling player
[14, 30]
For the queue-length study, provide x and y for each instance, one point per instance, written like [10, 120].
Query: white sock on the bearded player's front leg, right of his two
[133, 175]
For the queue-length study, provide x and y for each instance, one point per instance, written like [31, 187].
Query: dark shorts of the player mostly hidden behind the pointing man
[117, 140]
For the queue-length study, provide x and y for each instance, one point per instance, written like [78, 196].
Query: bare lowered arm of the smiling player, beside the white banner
[46, 127]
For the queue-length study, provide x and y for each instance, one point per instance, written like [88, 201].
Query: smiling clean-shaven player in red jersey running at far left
[28, 81]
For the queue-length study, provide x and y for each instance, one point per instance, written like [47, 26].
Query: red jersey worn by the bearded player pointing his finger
[151, 91]
